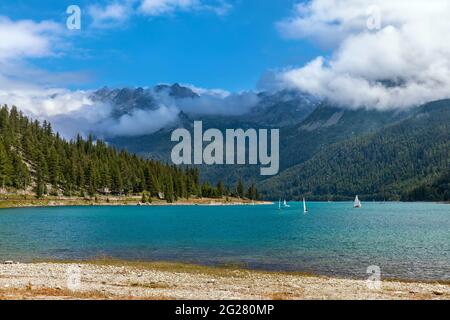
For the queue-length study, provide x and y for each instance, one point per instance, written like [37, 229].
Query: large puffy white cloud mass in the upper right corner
[385, 54]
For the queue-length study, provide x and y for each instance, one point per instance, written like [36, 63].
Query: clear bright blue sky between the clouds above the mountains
[230, 51]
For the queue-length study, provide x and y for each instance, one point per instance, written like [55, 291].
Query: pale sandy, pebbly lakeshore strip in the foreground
[128, 280]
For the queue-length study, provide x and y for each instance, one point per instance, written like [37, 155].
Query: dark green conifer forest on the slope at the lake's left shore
[33, 157]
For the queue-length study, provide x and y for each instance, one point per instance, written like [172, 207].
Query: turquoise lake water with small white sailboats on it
[406, 240]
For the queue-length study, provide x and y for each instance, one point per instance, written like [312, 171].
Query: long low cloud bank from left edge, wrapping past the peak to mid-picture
[78, 112]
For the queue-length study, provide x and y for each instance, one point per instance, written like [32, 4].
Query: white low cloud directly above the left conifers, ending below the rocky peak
[75, 112]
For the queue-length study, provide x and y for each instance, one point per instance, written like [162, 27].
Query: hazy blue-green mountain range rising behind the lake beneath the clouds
[326, 151]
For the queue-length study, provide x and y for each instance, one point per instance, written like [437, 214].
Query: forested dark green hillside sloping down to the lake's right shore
[388, 164]
